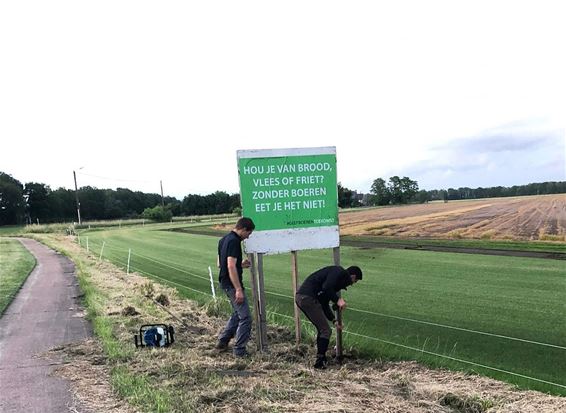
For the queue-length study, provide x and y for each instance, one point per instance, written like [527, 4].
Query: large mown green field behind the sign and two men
[498, 316]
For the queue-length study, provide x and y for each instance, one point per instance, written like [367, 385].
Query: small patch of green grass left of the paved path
[15, 265]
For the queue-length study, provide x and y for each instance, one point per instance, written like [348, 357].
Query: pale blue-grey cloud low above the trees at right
[511, 154]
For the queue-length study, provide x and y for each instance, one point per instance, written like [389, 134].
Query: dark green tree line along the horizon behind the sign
[36, 202]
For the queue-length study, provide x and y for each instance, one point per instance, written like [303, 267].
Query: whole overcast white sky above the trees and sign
[449, 93]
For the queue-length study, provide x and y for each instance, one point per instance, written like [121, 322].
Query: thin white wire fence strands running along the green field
[163, 264]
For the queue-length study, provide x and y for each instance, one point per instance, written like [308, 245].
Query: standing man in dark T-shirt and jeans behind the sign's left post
[231, 268]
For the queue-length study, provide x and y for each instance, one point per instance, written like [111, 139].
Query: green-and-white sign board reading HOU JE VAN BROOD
[290, 190]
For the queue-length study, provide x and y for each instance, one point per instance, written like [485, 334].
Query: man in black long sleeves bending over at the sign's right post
[314, 296]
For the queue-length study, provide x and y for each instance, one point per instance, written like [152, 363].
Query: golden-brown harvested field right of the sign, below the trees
[520, 218]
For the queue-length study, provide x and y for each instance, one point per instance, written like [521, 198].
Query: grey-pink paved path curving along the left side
[46, 313]
